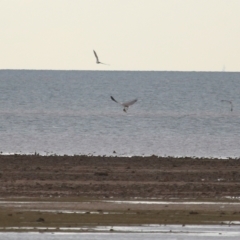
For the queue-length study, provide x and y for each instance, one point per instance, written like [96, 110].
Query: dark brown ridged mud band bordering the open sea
[121, 177]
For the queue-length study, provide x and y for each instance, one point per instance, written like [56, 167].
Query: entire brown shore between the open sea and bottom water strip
[79, 190]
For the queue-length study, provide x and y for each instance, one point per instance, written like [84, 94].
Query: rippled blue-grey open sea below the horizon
[177, 114]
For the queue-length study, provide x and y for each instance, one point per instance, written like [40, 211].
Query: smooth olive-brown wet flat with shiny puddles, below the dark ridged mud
[87, 215]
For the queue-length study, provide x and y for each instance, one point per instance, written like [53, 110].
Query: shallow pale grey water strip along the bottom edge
[169, 232]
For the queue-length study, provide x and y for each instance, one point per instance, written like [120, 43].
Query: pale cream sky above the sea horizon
[151, 35]
